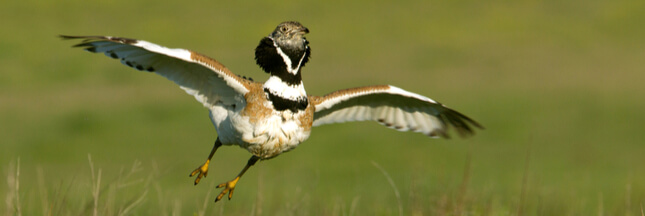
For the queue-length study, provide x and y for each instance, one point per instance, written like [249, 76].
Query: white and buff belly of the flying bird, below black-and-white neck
[265, 138]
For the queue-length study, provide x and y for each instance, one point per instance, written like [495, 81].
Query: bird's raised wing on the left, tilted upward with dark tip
[199, 75]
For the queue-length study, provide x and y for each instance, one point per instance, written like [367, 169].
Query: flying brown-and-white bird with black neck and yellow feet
[274, 117]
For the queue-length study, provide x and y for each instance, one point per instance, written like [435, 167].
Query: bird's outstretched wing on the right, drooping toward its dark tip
[392, 107]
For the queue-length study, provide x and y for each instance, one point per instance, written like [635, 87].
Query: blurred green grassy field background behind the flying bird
[557, 84]
